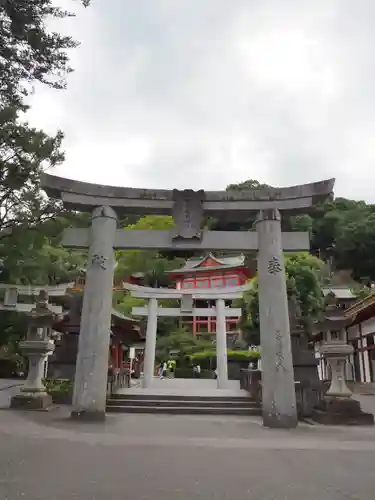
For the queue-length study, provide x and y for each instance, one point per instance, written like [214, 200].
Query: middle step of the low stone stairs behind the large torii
[153, 401]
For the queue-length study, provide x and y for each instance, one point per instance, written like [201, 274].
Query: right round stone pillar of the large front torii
[278, 392]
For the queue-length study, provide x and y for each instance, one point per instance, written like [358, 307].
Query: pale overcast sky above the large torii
[203, 93]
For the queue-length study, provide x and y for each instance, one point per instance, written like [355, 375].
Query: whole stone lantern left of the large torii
[37, 347]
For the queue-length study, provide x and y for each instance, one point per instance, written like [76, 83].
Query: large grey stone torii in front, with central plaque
[187, 208]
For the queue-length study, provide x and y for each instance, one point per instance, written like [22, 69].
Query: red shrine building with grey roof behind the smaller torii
[211, 272]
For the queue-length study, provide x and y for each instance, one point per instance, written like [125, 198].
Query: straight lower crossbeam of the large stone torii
[163, 240]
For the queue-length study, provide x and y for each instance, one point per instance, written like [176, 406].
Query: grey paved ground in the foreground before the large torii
[45, 456]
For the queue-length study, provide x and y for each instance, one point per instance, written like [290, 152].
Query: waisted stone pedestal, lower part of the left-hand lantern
[33, 394]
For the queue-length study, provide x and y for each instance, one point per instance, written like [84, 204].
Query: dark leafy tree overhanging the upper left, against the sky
[29, 53]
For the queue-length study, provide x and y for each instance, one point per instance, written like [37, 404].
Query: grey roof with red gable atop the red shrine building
[211, 263]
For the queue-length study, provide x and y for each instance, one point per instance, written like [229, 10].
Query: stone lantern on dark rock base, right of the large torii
[338, 405]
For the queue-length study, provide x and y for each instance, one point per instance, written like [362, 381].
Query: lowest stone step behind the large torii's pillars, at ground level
[185, 410]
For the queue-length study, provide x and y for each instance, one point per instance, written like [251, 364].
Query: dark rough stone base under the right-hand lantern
[341, 411]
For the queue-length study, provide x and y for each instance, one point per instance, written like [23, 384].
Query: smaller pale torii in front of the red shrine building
[187, 297]
